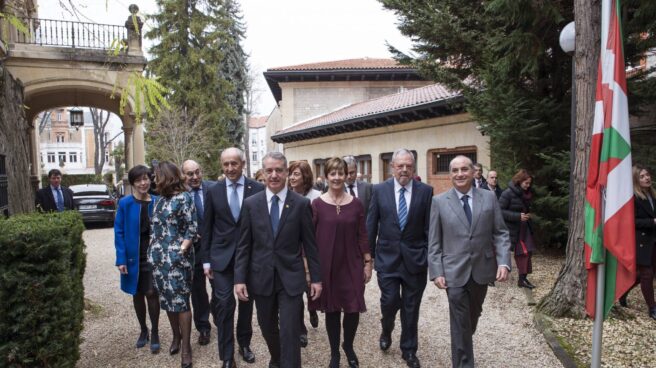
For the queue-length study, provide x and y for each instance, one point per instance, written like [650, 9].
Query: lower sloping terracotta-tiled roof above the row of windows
[386, 104]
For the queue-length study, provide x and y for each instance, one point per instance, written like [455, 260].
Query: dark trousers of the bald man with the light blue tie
[223, 308]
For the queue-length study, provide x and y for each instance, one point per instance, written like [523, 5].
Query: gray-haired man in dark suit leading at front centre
[276, 231]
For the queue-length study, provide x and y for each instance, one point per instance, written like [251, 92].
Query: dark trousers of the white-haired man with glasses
[402, 291]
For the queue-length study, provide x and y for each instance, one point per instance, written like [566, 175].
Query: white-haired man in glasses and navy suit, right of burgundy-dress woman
[397, 226]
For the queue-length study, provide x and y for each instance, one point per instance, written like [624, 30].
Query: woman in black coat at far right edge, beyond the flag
[645, 223]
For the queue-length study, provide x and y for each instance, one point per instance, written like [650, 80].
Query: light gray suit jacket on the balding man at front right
[457, 250]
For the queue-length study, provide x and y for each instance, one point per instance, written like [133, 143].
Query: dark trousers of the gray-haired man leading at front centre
[278, 317]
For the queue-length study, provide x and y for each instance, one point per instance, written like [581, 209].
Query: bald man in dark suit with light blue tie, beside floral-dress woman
[220, 234]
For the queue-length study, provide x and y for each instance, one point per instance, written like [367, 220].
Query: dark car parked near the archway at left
[95, 202]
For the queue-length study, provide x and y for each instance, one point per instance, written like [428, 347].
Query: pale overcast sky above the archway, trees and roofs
[278, 32]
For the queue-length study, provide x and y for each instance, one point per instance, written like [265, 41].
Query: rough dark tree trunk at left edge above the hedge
[15, 143]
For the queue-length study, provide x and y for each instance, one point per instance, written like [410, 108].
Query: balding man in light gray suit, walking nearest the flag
[468, 247]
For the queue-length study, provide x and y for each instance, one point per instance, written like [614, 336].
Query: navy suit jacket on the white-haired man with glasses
[391, 246]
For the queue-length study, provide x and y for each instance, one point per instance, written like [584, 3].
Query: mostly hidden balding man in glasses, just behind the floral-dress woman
[199, 298]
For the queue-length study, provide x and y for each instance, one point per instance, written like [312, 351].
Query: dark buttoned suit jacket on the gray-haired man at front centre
[260, 255]
